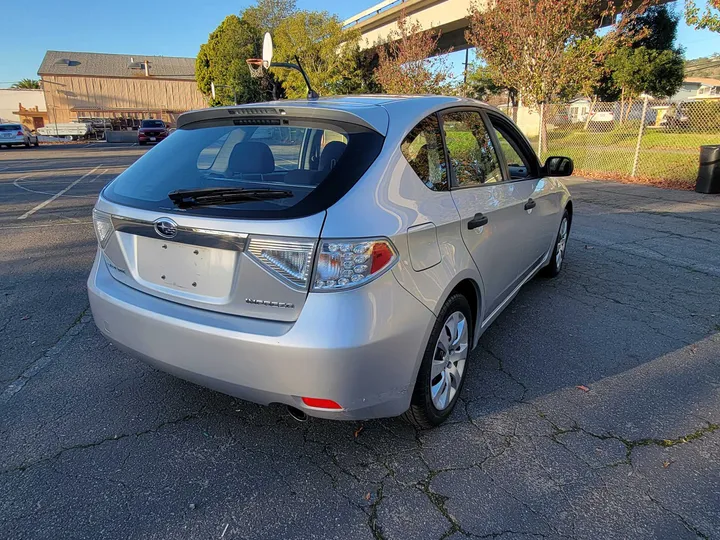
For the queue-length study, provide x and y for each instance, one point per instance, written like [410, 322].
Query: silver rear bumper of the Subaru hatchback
[360, 348]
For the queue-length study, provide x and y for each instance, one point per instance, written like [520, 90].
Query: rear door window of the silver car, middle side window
[471, 151]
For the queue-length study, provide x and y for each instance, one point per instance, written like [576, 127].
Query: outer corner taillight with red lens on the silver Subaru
[344, 264]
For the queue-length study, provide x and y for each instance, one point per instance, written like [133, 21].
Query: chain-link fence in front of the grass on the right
[655, 140]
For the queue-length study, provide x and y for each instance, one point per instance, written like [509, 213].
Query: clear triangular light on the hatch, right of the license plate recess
[290, 260]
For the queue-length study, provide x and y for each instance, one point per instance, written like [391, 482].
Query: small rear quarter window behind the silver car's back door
[424, 152]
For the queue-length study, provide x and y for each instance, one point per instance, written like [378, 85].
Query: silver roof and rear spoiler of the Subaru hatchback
[371, 110]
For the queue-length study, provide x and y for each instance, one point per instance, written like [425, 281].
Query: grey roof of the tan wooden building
[115, 65]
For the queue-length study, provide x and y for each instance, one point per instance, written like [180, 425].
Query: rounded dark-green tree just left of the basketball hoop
[222, 61]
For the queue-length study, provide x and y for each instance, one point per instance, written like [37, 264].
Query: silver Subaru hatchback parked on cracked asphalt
[339, 256]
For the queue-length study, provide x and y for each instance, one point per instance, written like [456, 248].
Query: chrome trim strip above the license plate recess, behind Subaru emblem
[185, 235]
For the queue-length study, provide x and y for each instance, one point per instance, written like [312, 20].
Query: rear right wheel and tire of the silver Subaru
[444, 365]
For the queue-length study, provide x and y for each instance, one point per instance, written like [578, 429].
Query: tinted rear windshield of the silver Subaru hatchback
[317, 161]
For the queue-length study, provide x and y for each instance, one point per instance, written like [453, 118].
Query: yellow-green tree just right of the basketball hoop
[328, 54]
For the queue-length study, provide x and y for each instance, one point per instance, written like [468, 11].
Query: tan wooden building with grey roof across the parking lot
[118, 89]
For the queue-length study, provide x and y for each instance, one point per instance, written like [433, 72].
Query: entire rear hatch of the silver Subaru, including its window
[226, 215]
